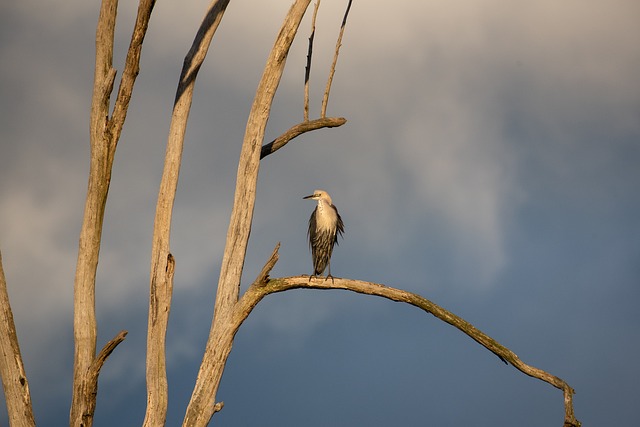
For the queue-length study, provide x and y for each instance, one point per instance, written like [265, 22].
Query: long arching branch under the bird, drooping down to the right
[257, 291]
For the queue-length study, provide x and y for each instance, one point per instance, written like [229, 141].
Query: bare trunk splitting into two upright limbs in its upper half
[104, 136]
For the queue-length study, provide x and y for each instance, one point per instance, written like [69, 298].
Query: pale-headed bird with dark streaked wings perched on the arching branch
[325, 225]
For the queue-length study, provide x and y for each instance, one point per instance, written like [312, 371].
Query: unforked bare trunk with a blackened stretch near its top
[162, 262]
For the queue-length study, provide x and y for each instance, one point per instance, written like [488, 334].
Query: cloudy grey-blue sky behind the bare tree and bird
[489, 163]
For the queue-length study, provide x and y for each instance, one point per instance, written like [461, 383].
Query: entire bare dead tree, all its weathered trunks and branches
[231, 308]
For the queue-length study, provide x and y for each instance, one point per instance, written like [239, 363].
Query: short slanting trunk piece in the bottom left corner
[14, 379]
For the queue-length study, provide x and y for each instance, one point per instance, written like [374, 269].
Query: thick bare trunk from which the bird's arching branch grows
[201, 405]
